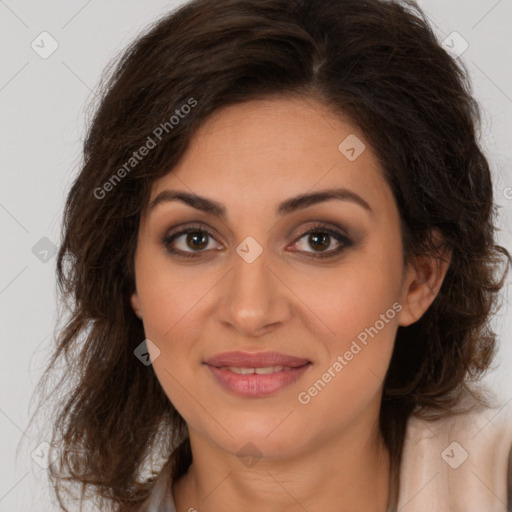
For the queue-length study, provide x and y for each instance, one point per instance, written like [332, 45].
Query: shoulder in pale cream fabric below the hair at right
[459, 462]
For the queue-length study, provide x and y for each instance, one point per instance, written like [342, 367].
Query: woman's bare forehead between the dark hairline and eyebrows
[267, 150]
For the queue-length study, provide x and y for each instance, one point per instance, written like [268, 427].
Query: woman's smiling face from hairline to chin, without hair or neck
[320, 282]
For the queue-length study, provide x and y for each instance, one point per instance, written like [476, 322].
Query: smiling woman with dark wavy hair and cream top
[281, 253]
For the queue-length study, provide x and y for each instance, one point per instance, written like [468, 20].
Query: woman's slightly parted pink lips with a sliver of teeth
[256, 375]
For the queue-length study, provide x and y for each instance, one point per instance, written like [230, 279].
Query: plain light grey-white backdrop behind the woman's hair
[42, 105]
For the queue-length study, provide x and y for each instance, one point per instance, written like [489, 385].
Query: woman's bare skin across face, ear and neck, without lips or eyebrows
[327, 454]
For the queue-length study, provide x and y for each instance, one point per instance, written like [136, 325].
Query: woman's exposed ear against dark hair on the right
[422, 282]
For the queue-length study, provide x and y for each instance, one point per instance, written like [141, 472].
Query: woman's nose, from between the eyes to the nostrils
[254, 299]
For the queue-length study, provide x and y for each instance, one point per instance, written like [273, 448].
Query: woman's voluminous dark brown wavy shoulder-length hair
[375, 62]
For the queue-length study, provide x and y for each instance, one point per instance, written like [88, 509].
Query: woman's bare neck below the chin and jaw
[350, 472]
